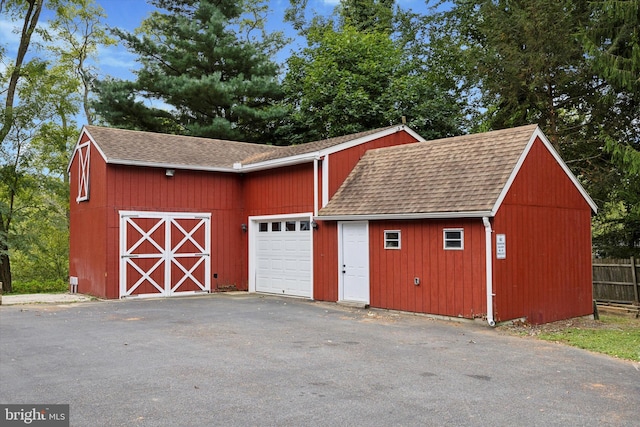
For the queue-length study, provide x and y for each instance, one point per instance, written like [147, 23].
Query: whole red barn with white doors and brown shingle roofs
[491, 225]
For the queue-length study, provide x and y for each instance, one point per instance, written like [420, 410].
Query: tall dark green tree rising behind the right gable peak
[525, 57]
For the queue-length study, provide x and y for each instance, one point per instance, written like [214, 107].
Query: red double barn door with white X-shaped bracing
[164, 254]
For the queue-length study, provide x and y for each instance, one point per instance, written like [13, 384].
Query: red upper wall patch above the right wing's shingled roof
[342, 162]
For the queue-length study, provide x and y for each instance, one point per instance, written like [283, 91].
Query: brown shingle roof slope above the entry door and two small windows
[459, 174]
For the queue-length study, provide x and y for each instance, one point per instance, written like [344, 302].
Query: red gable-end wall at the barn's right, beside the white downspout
[546, 275]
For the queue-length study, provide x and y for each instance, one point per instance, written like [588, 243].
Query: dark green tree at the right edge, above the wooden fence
[612, 43]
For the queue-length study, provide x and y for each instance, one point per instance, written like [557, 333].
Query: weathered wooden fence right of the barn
[616, 280]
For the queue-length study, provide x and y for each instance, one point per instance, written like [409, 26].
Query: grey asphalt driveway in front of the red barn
[238, 360]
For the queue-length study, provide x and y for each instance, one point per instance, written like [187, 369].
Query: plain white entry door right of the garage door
[354, 261]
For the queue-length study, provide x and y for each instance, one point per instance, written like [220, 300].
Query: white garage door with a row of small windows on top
[283, 257]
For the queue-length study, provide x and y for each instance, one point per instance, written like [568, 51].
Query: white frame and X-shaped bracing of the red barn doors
[167, 254]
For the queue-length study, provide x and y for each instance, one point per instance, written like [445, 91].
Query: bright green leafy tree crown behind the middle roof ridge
[337, 87]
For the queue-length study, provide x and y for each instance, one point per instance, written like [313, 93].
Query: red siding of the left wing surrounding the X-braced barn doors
[95, 224]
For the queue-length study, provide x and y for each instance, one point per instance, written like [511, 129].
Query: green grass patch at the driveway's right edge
[615, 335]
